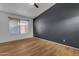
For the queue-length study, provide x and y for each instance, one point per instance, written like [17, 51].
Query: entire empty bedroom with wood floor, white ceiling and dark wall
[39, 29]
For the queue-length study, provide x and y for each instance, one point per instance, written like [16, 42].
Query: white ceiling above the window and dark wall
[25, 9]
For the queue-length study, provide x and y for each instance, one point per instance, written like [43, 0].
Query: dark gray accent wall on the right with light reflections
[60, 24]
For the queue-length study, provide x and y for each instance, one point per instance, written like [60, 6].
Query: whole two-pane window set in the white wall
[17, 26]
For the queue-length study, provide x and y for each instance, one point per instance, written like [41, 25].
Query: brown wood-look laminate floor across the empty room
[35, 47]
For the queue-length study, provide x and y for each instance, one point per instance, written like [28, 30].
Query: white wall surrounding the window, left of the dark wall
[5, 36]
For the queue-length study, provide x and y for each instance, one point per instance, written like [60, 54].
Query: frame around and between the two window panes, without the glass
[19, 22]
